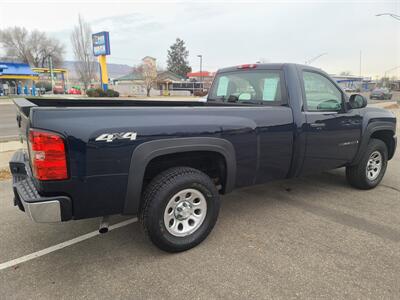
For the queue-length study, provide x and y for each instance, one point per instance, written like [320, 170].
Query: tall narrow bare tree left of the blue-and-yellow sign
[81, 39]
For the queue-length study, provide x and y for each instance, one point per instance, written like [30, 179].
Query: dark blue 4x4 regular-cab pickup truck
[168, 161]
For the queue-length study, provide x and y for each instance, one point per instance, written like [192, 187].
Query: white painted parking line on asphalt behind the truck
[62, 245]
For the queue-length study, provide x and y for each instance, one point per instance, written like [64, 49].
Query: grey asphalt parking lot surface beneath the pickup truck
[311, 237]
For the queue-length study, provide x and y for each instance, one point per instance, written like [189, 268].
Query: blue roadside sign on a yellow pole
[101, 48]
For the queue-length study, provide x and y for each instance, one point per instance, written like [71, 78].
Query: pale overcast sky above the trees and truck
[229, 33]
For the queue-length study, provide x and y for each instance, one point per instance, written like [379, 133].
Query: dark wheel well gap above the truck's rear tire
[211, 163]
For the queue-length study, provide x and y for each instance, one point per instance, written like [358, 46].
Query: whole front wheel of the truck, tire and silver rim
[369, 172]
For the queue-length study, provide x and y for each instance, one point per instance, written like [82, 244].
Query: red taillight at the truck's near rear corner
[48, 157]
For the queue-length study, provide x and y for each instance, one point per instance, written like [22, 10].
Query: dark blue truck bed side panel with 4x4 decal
[99, 171]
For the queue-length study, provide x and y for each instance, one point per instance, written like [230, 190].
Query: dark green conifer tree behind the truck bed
[177, 58]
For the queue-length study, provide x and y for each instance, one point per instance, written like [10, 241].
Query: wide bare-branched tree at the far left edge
[33, 47]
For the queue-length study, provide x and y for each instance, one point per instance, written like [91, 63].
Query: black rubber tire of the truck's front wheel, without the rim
[357, 175]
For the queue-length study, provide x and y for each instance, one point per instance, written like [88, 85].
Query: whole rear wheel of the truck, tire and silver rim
[180, 208]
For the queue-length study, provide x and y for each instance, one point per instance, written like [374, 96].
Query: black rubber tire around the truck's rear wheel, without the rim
[157, 196]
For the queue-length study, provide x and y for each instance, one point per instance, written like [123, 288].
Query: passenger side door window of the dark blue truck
[321, 94]
